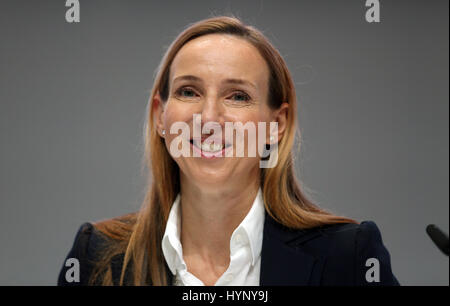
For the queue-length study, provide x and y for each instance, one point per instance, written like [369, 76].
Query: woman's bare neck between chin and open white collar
[209, 217]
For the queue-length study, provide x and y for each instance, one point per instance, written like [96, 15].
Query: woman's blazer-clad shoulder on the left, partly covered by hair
[89, 244]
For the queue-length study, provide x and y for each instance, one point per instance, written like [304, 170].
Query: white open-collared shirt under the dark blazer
[245, 249]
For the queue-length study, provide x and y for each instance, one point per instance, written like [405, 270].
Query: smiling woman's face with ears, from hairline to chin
[219, 78]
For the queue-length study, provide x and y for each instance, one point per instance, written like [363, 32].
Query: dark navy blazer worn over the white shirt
[332, 255]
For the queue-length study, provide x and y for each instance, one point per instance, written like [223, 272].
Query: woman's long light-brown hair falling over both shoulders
[138, 236]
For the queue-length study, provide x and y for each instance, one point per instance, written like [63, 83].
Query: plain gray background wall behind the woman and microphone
[373, 109]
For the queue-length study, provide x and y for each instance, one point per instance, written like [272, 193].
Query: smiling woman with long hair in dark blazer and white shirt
[218, 218]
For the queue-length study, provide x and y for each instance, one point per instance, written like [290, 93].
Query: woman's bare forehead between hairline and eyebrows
[221, 56]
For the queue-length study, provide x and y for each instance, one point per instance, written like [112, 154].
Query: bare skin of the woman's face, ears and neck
[216, 193]
